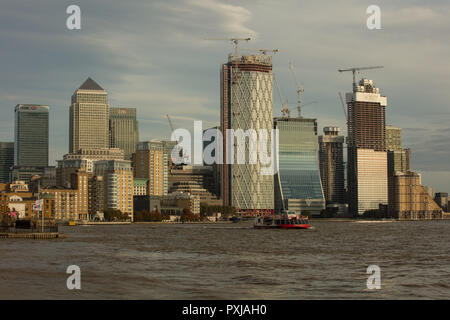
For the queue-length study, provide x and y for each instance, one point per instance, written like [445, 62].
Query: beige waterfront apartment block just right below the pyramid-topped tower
[118, 184]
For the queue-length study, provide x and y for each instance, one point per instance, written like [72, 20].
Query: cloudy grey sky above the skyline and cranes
[152, 55]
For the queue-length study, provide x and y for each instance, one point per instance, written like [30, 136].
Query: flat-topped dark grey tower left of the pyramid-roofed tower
[31, 135]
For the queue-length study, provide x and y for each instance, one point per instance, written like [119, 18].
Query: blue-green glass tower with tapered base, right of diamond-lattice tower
[298, 186]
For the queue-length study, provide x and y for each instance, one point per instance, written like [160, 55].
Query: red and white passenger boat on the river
[282, 221]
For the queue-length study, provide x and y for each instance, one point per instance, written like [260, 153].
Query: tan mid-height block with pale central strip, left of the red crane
[150, 162]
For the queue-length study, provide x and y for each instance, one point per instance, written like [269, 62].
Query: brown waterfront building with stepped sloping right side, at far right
[409, 200]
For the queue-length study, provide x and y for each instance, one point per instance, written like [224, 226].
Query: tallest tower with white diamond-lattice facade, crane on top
[246, 104]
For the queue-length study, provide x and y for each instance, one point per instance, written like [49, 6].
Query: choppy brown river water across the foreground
[232, 261]
